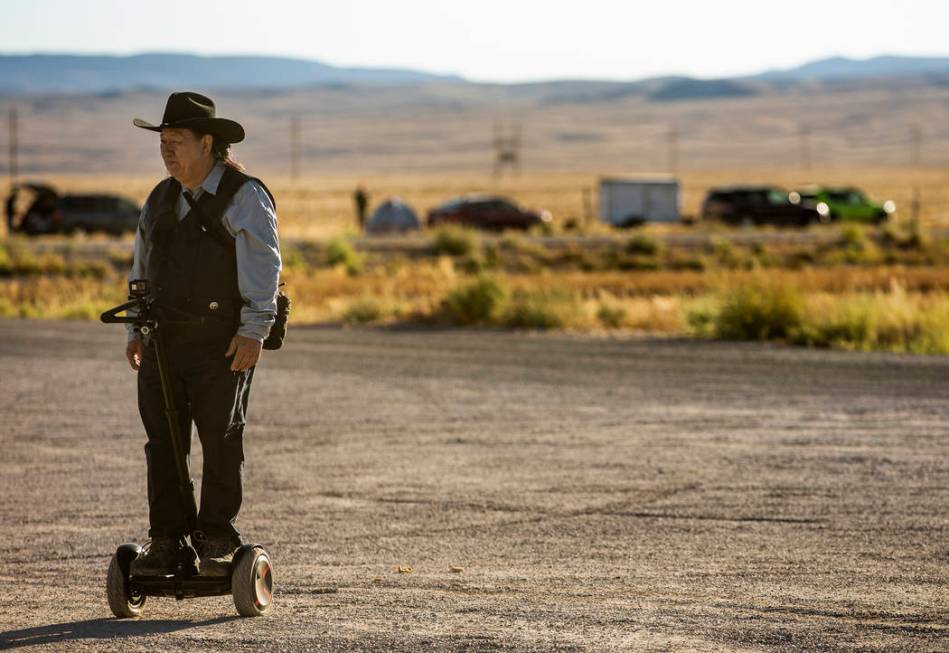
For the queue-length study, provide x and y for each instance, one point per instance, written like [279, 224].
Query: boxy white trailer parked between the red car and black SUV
[627, 202]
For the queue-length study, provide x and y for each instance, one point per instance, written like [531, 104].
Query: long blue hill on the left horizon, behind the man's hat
[66, 73]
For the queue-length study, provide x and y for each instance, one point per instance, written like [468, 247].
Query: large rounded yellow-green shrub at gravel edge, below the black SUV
[760, 311]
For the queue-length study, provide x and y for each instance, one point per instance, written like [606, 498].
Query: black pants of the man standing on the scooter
[207, 393]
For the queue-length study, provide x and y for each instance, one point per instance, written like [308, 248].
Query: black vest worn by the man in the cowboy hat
[193, 263]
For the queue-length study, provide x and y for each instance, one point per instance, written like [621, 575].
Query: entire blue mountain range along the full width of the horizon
[93, 73]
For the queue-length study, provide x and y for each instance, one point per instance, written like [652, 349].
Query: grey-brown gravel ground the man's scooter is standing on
[595, 494]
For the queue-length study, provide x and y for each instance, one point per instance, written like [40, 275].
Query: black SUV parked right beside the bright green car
[757, 205]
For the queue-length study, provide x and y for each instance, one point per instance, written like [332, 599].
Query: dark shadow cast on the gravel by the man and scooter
[98, 629]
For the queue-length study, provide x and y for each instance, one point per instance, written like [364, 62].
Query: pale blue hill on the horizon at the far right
[841, 68]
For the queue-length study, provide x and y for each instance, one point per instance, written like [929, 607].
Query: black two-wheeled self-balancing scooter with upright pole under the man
[250, 582]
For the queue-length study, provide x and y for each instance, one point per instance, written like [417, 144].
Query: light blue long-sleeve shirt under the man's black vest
[252, 220]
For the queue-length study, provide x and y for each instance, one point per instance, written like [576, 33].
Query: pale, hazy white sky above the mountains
[497, 40]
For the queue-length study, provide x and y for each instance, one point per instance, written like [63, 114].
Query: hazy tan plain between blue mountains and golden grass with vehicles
[566, 128]
